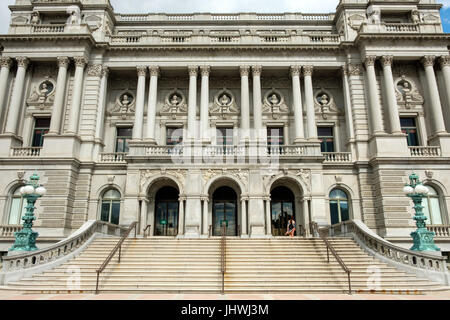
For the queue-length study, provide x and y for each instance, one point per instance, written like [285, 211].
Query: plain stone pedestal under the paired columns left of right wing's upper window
[393, 145]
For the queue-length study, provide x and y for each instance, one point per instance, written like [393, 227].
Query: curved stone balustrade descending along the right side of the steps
[392, 252]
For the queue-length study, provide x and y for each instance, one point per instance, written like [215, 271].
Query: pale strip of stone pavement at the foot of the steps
[441, 295]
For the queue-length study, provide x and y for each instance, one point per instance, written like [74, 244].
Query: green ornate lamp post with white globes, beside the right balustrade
[423, 239]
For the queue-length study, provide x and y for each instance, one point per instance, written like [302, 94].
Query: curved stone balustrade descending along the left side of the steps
[60, 249]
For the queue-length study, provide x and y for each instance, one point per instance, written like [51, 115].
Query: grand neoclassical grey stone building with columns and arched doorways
[184, 121]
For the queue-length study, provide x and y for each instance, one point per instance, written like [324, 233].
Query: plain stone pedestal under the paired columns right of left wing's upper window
[61, 146]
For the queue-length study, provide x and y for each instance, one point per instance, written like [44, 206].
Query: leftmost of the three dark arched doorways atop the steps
[166, 212]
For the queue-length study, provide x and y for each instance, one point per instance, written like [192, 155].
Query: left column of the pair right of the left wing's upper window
[58, 106]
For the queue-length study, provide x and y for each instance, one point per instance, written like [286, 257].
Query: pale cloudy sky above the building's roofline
[222, 6]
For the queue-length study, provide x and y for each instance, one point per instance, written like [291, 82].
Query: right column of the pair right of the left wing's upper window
[74, 117]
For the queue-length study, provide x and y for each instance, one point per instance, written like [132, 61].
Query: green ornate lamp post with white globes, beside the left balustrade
[26, 238]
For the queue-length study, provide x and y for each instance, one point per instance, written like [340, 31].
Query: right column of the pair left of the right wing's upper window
[394, 117]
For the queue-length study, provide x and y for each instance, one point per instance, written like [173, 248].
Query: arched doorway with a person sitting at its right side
[282, 208]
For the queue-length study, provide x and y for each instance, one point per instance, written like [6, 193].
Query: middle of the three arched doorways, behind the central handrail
[225, 207]
